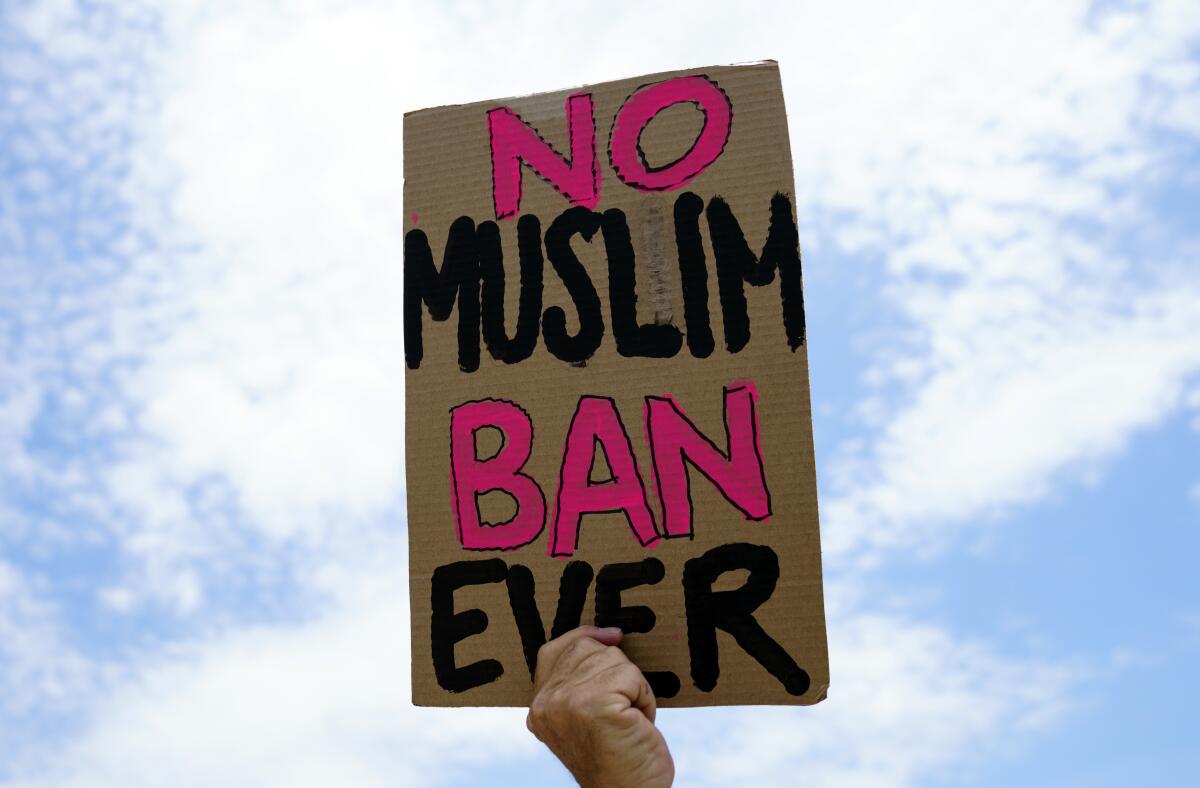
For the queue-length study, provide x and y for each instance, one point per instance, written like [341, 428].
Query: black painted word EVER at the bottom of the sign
[707, 611]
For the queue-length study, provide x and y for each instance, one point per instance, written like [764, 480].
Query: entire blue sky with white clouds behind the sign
[203, 561]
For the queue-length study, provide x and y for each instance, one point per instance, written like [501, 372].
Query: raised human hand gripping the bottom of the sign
[595, 709]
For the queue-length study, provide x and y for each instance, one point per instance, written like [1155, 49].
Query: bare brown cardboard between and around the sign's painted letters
[448, 175]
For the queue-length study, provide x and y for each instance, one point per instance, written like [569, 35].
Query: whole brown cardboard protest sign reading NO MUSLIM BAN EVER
[608, 396]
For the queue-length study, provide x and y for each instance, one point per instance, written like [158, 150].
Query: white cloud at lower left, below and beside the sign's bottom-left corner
[322, 703]
